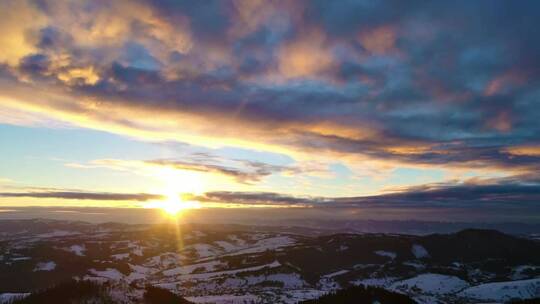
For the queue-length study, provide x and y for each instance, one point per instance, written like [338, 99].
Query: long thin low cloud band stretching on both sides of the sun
[474, 194]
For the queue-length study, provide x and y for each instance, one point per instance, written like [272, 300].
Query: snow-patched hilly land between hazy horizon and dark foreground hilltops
[248, 264]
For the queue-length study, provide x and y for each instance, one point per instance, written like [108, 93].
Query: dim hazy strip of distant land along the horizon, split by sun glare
[274, 219]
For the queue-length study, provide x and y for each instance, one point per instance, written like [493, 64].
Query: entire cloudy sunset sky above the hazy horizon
[330, 105]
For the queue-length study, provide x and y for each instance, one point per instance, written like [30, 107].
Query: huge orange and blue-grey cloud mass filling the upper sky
[387, 81]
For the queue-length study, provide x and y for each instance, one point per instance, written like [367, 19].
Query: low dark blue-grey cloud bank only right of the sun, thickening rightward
[492, 195]
